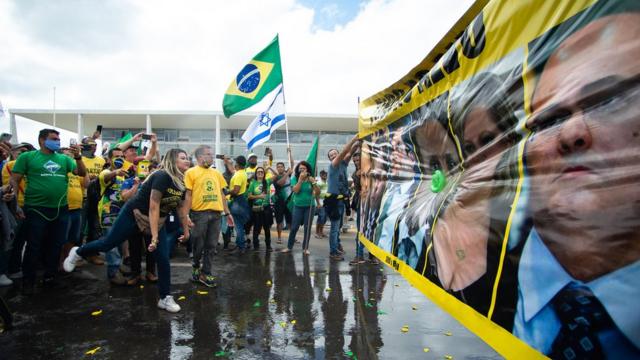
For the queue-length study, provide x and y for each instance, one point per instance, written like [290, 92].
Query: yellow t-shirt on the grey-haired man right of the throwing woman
[205, 185]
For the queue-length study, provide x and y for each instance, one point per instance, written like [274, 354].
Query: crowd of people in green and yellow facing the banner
[63, 207]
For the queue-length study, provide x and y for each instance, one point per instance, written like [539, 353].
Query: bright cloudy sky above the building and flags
[182, 55]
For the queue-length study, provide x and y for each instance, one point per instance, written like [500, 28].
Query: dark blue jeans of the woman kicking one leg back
[125, 227]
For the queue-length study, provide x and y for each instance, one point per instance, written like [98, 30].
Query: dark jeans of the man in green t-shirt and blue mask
[46, 232]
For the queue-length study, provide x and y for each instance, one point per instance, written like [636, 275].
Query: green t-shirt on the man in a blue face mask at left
[46, 174]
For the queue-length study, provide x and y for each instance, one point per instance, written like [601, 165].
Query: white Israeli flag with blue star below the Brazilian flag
[267, 122]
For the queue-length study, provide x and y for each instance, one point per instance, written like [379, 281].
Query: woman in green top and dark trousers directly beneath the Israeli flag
[260, 195]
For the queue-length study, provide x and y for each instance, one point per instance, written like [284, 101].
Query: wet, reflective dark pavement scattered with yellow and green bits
[266, 306]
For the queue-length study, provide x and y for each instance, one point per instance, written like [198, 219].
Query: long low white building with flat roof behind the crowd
[188, 129]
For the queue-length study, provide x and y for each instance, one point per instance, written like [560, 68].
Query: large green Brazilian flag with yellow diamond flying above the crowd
[256, 79]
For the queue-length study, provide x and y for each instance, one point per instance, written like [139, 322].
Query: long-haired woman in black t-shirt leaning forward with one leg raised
[161, 193]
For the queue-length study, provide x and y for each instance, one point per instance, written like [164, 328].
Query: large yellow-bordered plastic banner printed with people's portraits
[501, 176]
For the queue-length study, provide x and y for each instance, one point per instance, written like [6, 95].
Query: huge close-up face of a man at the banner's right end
[584, 155]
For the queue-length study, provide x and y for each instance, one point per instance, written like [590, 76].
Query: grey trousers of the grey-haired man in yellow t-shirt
[204, 238]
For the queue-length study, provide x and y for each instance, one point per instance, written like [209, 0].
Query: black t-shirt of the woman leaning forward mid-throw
[160, 181]
